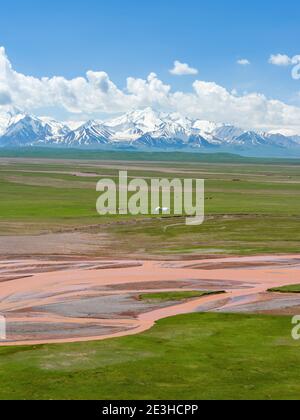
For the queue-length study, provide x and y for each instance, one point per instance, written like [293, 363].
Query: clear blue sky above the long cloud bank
[133, 38]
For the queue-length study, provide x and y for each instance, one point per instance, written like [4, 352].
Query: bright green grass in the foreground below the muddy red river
[198, 356]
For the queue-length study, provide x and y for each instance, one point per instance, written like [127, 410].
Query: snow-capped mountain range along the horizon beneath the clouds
[143, 129]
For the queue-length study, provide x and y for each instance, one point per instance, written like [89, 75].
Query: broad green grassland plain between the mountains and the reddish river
[251, 206]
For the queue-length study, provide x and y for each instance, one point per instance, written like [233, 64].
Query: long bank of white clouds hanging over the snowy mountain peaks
[96, 94]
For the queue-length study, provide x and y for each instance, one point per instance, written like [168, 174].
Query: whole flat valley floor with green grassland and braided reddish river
[71, 285]
